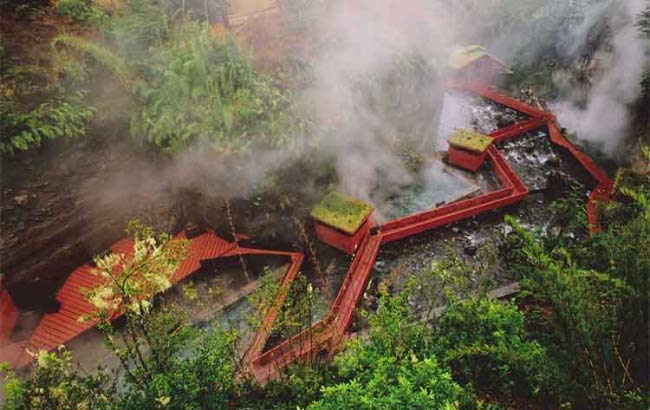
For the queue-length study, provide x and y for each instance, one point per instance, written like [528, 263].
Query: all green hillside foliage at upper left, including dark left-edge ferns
[188, 84]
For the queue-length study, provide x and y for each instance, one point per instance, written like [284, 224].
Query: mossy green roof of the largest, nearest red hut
[342, 212]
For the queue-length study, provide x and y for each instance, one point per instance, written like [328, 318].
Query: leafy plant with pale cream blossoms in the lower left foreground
[166, 362]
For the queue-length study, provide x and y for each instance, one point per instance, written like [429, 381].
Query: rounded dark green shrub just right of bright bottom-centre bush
[485, 344]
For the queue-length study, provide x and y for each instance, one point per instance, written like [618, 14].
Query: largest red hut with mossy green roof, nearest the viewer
[341, 221]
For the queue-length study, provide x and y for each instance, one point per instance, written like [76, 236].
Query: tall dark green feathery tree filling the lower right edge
[588, 296]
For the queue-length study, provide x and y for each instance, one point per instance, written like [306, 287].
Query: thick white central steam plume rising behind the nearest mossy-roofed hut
[362, 40]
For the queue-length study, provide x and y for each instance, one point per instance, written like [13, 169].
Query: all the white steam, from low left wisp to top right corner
[357, 42]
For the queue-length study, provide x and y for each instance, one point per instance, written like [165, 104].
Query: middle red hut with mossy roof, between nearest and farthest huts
[467, 149]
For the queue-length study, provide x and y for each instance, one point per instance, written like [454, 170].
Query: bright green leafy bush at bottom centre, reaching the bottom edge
[392, 370]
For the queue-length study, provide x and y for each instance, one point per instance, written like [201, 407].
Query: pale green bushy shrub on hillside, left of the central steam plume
[201, 89]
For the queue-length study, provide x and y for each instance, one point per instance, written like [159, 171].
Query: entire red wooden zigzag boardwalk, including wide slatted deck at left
[329, 333]
